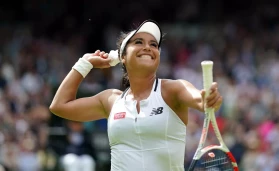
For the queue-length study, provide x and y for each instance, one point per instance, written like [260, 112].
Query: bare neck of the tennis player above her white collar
[141, 86]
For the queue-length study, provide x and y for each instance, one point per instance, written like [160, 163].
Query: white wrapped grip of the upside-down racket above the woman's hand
[207, 73]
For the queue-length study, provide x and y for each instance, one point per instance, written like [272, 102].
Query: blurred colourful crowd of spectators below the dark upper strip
[246, 61]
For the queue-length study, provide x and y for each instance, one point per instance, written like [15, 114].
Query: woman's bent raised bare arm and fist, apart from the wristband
[66, 105]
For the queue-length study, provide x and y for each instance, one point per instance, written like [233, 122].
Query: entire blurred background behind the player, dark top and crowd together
[40, 40]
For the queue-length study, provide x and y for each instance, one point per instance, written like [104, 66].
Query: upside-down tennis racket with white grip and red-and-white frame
[212, 157]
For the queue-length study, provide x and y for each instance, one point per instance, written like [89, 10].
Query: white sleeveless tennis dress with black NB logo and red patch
[152, 140]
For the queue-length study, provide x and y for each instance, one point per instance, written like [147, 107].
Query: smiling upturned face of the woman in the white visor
[142, 53]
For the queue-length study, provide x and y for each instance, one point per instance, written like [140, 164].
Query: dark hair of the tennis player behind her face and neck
[125, 83]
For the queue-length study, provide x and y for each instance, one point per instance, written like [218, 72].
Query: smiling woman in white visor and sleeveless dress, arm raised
[147, 122]
